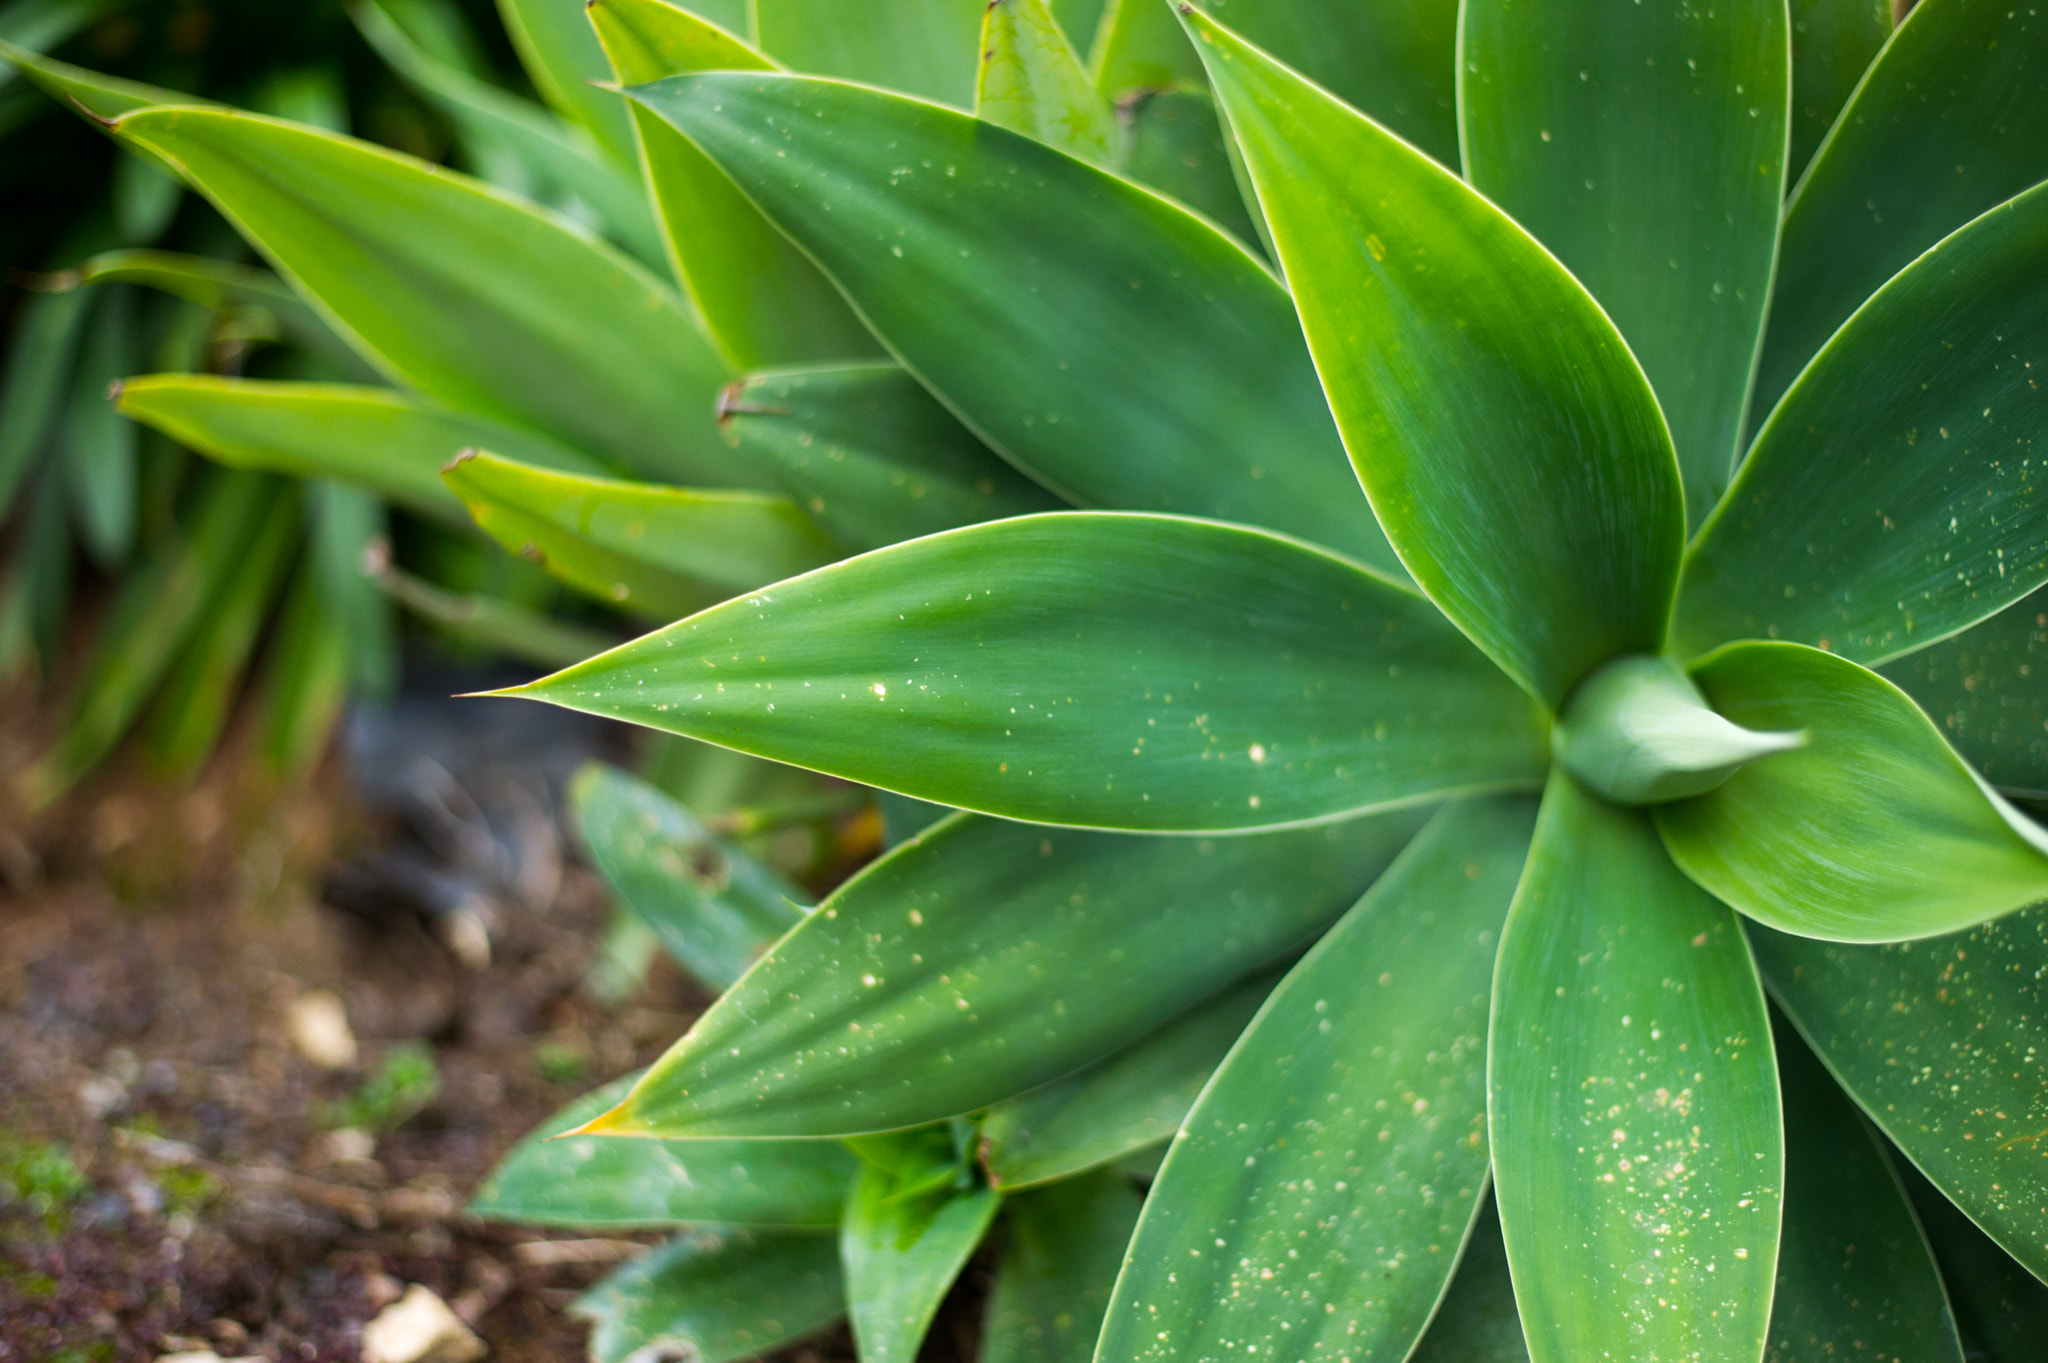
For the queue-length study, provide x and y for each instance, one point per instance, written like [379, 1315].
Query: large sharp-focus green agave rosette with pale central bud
[1633, 650]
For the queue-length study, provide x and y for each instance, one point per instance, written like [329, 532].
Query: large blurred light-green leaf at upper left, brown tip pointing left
[464, 294]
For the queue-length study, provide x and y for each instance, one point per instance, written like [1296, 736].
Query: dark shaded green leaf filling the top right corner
[1949, 124]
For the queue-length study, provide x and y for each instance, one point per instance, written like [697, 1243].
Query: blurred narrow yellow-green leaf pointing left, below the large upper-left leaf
[376, 439]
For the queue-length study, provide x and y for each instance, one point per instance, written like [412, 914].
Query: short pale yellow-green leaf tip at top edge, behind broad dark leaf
[1033, 83]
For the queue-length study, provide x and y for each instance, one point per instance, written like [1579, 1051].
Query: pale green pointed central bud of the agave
[1639, 732]
